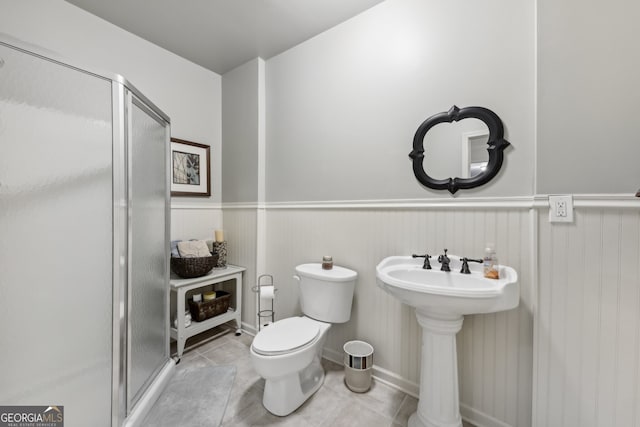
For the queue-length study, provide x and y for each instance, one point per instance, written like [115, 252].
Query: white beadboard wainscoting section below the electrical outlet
[587, 367]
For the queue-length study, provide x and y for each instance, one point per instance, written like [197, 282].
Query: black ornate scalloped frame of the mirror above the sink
[479, 174]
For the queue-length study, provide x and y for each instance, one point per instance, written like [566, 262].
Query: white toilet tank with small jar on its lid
[326, 295]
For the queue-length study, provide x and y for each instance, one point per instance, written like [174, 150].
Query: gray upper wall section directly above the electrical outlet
[588, 134]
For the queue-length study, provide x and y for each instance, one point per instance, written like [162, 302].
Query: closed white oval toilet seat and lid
[285, 336]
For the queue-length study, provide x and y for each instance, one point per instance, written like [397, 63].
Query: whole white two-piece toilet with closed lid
[287, 353]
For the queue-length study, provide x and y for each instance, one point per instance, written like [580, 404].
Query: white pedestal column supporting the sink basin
[439, 400]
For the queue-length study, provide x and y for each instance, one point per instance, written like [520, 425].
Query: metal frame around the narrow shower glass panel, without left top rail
[124, 96]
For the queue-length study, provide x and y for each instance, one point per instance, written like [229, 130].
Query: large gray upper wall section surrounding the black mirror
[342, 108]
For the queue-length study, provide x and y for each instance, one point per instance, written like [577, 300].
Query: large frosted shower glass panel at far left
[55, 238]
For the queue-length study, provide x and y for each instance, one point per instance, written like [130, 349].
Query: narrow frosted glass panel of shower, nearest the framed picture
[148, 317]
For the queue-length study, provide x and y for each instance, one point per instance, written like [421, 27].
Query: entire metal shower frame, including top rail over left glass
[123, 95]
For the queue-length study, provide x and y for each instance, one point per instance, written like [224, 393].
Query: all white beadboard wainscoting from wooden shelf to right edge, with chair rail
[583, 348]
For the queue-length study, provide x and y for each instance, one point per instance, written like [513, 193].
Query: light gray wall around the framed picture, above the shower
[186, 92]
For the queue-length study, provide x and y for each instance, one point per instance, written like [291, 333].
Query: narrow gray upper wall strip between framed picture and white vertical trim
[240, 134]
